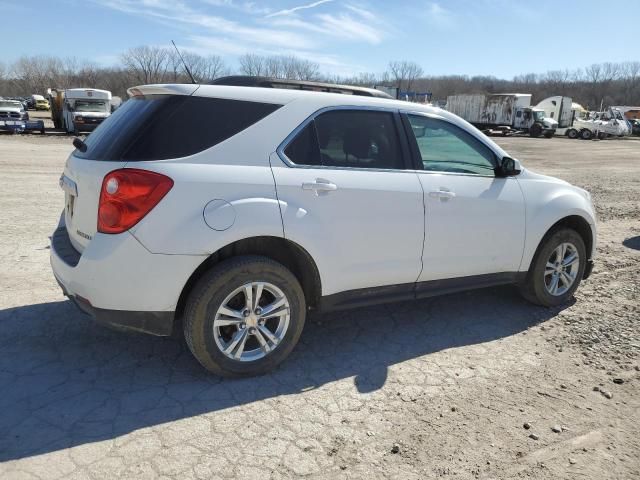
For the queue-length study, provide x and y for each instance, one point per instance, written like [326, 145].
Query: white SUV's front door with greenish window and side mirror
[475, 221]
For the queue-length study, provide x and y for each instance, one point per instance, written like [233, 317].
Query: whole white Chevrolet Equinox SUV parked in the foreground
[231, 211]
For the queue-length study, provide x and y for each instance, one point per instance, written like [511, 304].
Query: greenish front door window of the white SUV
[445, 147]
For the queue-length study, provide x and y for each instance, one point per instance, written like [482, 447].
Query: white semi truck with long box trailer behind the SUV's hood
[506, 112]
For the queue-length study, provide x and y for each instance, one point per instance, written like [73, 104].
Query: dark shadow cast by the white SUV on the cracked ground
[65, 381]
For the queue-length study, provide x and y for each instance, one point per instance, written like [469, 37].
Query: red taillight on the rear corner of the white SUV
[127, 195]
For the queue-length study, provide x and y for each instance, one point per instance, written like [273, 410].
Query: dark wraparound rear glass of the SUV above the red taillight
[158, 127]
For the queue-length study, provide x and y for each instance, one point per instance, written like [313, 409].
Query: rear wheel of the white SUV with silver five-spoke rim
[244, 316]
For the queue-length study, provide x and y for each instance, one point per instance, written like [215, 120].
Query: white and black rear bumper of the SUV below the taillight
[120, 283]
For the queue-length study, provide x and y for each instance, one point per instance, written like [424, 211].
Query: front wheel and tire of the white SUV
[557, 268]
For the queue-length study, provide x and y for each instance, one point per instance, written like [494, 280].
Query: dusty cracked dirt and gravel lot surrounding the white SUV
[435, 388]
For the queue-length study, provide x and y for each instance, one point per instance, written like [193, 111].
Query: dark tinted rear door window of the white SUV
[348, 138]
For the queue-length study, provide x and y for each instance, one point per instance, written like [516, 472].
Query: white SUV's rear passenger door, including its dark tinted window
[348, 198]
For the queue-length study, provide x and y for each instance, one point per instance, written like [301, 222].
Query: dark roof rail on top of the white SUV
[269, 82]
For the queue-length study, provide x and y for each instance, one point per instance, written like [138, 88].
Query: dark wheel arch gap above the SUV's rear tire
[282, 250]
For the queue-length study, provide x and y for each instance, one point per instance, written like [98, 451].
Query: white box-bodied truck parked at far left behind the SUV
[78, 110]
